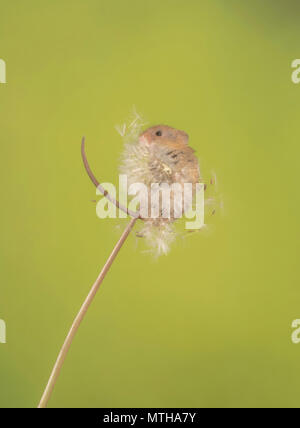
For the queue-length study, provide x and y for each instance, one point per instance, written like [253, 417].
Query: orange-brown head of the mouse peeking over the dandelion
[164, 134]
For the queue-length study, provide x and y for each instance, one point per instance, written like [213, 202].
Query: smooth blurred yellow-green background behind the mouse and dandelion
[210, 324]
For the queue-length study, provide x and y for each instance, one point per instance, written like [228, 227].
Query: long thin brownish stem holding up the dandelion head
[67, 343]
